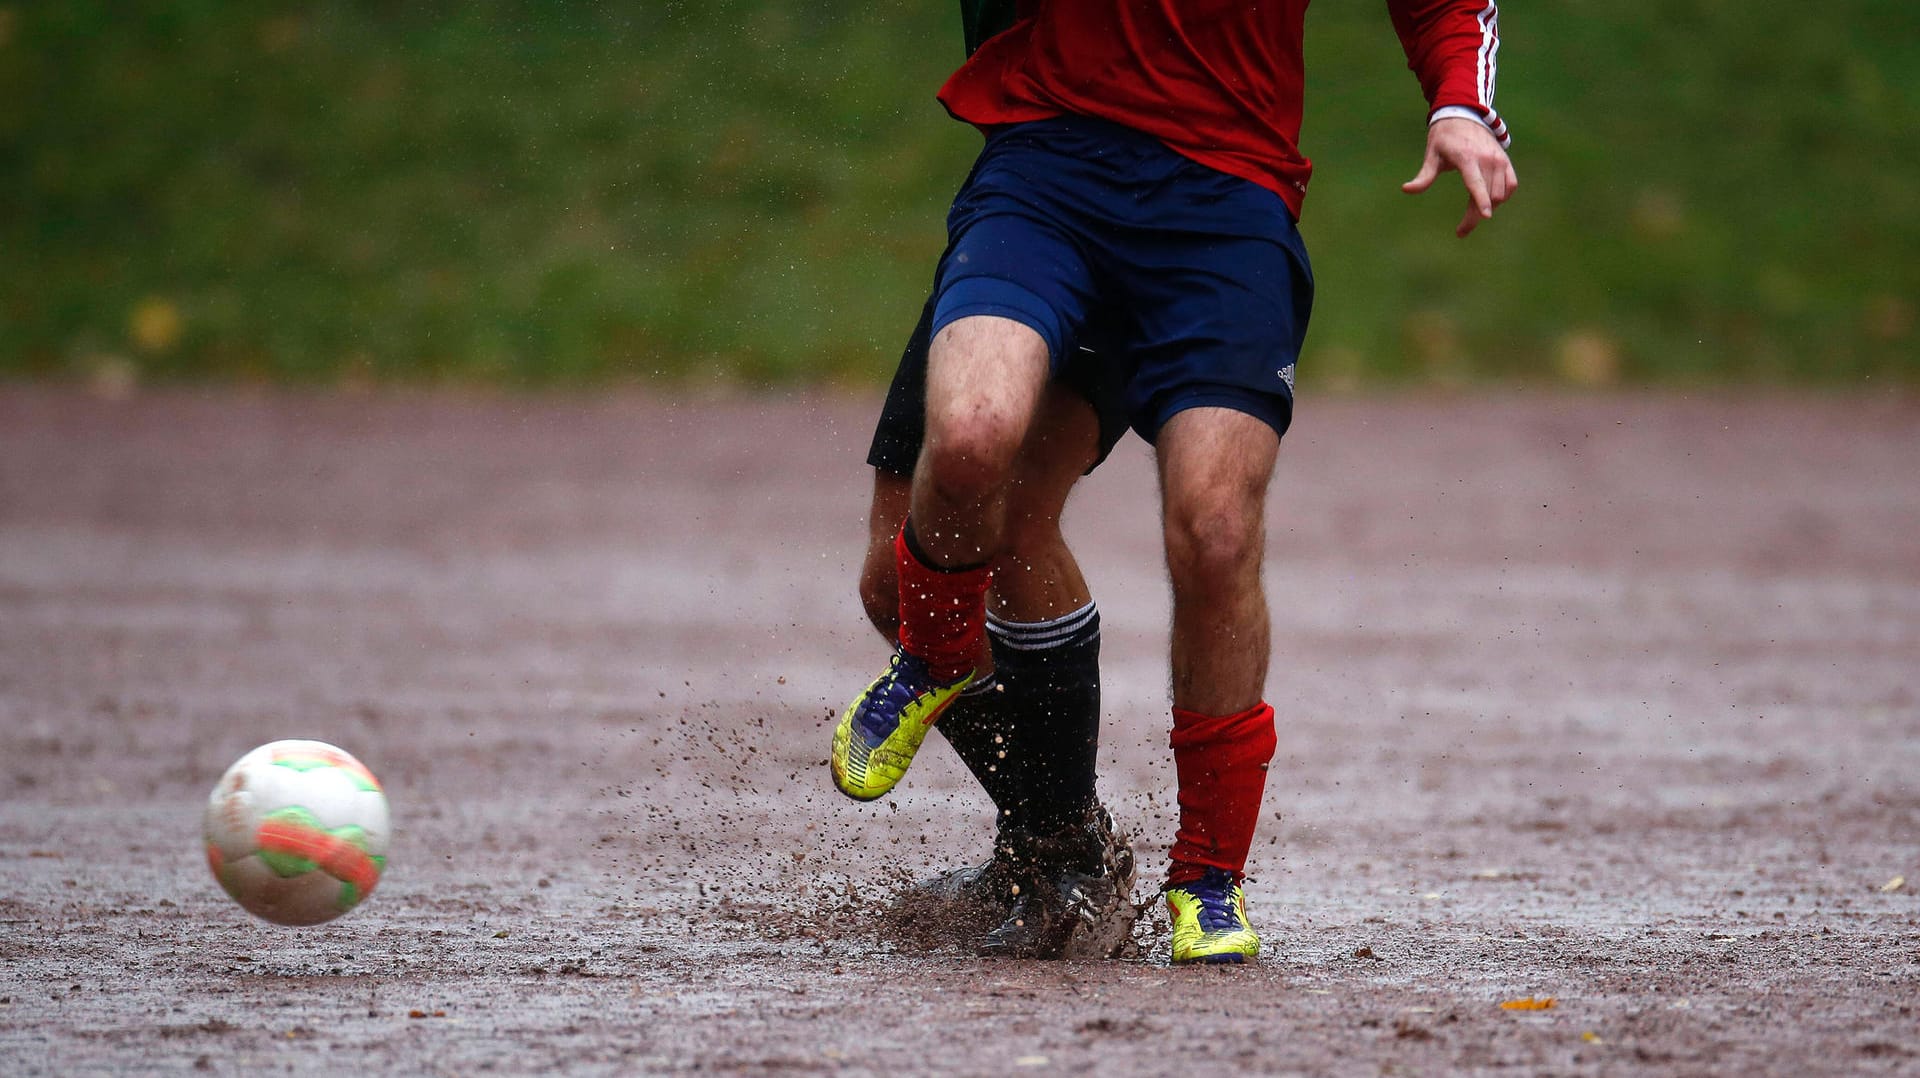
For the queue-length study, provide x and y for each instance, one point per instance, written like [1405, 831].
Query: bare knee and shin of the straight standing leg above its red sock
[1214, 472]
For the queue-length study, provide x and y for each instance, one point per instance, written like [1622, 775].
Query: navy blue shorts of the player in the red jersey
[1197, 280]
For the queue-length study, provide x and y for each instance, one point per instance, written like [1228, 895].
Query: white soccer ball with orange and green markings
[297, 833]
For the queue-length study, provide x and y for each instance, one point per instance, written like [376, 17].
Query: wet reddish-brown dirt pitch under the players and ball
[1606, 700]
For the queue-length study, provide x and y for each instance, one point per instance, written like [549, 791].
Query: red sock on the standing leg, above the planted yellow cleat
[1222, 766]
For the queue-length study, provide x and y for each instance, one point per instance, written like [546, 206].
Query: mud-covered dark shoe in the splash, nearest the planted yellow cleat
[1072, 896]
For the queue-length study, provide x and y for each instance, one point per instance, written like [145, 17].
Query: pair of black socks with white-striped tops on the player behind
[1032, 737]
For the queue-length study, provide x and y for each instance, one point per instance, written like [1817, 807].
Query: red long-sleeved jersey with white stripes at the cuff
[1218, 82]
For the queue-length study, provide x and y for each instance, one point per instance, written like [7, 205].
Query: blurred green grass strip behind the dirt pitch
[558, 193]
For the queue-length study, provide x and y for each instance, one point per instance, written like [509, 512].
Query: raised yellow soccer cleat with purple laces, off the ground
[882, 729]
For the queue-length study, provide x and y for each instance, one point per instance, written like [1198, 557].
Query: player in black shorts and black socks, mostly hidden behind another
[1059, 881]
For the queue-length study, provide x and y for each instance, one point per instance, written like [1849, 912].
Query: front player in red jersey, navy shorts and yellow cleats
[1143, 168]
